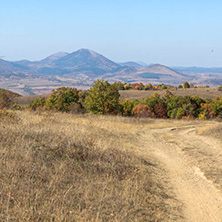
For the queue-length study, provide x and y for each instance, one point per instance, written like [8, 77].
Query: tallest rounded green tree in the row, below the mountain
[103, 98]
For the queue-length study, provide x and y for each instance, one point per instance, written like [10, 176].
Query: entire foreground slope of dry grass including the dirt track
[57, 166]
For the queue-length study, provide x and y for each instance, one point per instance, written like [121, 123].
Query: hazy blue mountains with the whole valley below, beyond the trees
[82, 67]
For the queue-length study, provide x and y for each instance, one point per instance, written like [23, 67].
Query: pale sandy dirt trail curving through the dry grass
[201, 199]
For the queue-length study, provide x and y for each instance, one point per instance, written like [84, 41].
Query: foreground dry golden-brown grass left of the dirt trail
[63, 167]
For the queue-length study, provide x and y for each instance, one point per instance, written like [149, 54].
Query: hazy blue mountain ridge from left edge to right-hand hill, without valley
[83, 61]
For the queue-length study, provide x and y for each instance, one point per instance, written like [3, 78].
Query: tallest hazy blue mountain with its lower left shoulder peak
[83, 61]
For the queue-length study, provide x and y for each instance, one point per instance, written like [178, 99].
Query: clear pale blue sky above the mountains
[168, 32]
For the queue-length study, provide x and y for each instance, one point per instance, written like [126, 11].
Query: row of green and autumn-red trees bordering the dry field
[104, 98]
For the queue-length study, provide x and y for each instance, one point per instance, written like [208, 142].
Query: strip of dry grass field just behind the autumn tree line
[202, 92]
